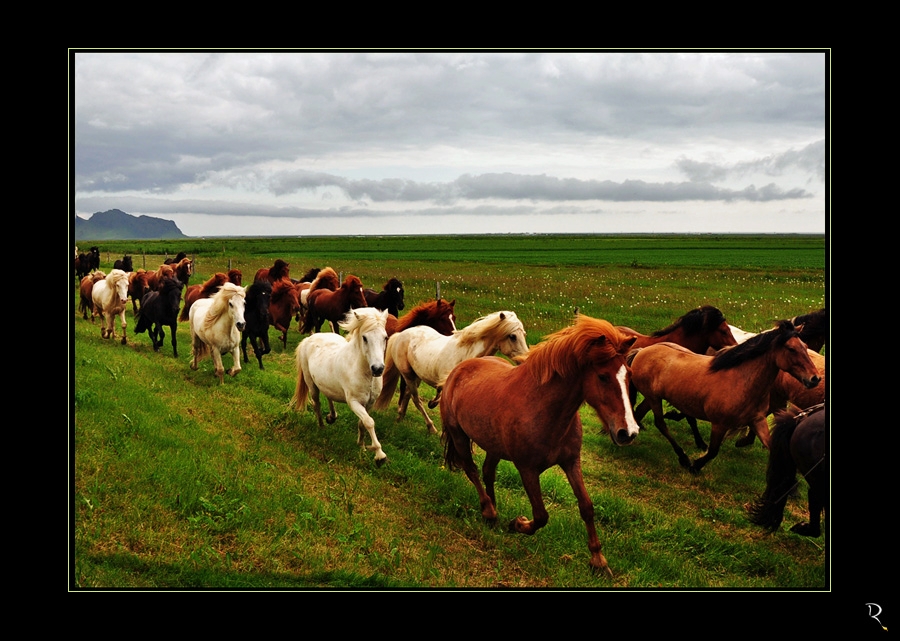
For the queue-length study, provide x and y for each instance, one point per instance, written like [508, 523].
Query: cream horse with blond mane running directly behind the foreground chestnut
[421, 353]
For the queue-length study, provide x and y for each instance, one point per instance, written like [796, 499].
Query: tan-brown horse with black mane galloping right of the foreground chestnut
[730, 390]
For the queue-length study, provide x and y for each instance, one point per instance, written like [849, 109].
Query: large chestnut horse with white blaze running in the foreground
[529, 415]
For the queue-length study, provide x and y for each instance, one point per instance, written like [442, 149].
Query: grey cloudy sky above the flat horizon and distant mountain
[304, 143]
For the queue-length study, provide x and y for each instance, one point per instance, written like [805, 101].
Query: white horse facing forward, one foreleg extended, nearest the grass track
[345, 369]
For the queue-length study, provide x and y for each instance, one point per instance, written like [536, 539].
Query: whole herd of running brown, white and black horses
[700, 367]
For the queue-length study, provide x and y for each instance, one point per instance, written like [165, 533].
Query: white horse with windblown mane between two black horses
[216, 326]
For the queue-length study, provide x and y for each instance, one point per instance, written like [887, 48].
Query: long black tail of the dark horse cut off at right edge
[781, 474]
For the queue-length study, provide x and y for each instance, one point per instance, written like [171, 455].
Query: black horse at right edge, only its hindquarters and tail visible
[797, 445]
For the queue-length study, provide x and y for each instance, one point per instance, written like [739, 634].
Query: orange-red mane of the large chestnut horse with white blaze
[565, 352]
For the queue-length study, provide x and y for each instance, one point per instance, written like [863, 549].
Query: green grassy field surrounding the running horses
[181, 483]
